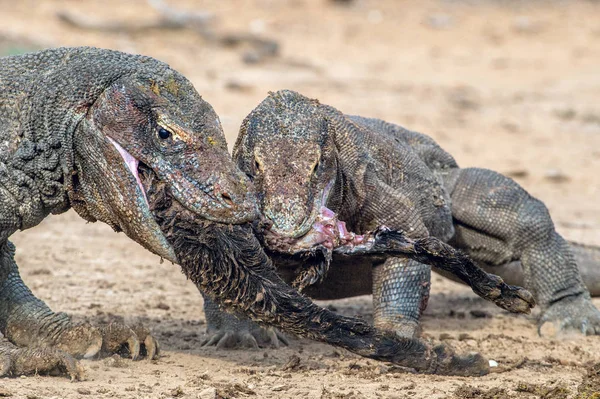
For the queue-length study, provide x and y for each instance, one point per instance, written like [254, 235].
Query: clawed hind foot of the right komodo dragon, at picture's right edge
[570, 315]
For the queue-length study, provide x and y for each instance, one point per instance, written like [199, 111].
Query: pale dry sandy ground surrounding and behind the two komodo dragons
[512, 86]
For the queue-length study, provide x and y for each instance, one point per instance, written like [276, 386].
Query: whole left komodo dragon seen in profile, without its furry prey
[74, 125]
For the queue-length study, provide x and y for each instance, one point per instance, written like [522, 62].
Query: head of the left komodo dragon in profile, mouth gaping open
[155, 123]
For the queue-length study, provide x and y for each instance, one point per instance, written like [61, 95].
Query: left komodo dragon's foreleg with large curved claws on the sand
[40, 340]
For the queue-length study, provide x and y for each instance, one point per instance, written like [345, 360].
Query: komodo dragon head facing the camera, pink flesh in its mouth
[286, 147]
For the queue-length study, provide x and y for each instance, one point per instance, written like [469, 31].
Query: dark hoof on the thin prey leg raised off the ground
[509, 297]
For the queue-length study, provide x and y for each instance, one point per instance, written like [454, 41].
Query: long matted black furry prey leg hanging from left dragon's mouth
[228, 264]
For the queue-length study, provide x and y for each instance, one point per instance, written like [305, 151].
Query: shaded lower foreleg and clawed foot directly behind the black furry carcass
[227, 330]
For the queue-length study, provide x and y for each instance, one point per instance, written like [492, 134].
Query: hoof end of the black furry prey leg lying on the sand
[448, 363]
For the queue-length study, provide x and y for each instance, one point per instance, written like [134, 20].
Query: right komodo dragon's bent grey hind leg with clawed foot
[498, 222]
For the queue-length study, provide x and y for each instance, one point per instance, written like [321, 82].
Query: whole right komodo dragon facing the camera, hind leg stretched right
[314, 166]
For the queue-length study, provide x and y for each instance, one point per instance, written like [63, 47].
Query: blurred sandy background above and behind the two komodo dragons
[509, 85]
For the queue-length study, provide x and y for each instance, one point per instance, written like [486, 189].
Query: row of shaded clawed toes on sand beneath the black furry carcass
[255, 338]
